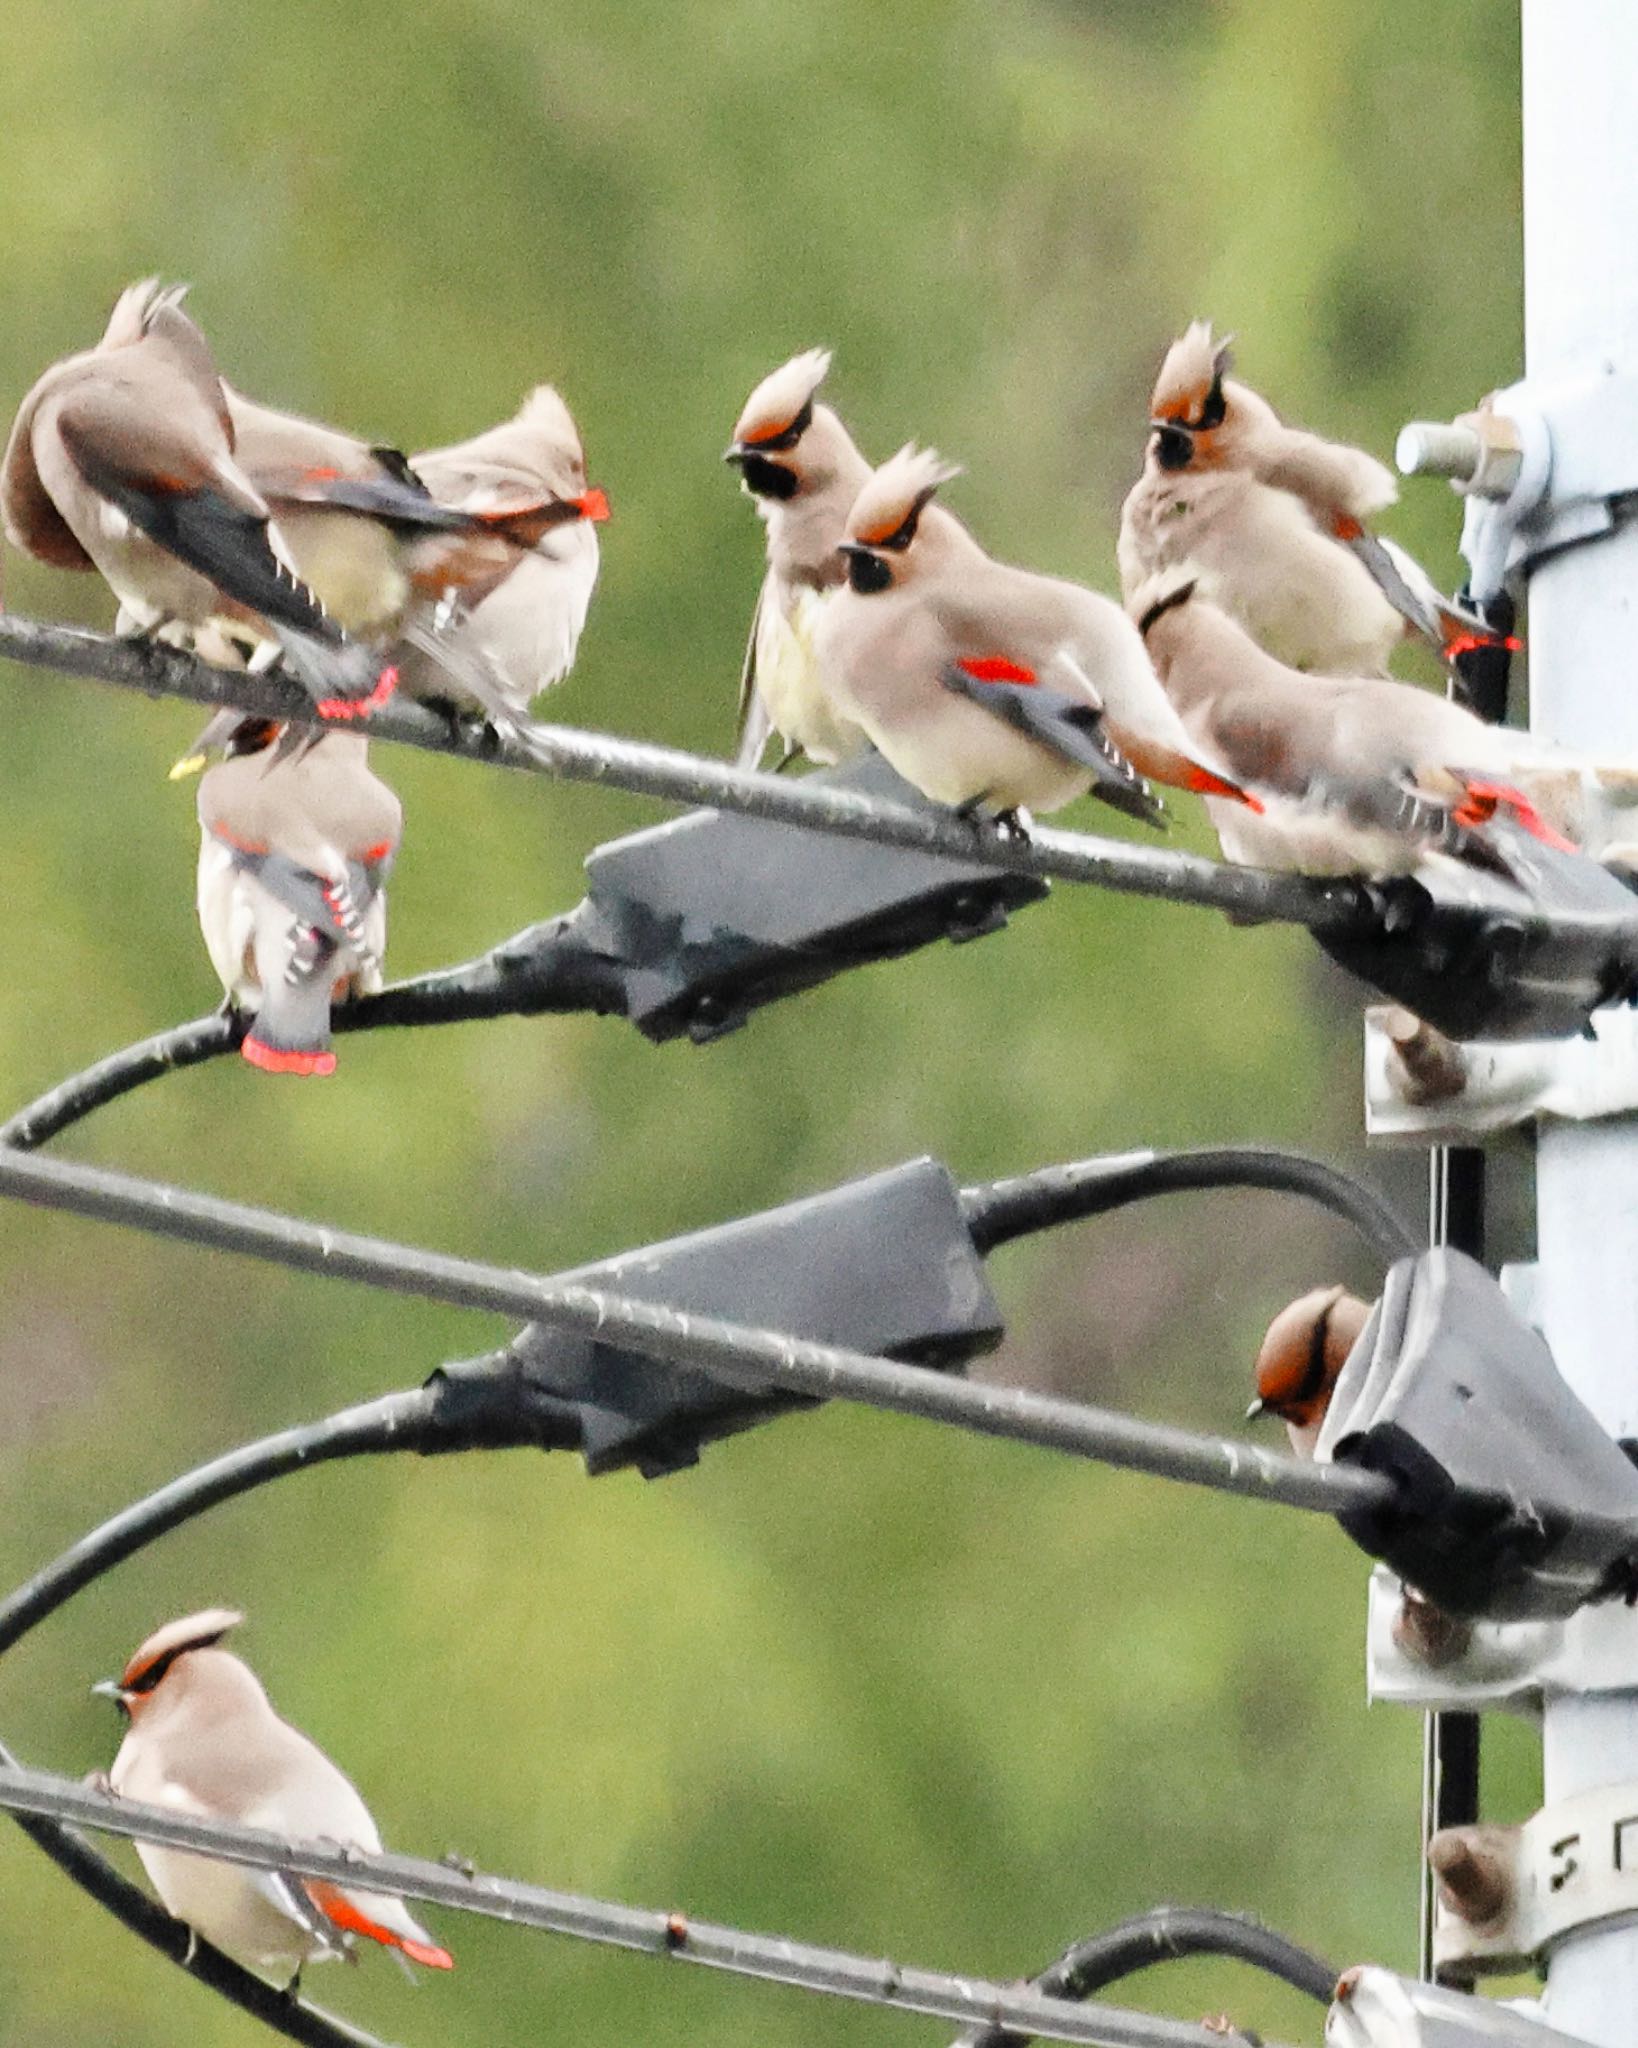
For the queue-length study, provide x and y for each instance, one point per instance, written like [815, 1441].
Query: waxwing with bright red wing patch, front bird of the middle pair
[988, 685]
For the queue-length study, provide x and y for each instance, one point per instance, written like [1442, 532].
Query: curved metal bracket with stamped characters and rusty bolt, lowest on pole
[1569, 1867]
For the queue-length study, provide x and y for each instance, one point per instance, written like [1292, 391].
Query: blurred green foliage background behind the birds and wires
[853, 1678]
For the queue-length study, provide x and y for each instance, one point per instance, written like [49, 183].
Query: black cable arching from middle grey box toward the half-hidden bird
[1006, 1209]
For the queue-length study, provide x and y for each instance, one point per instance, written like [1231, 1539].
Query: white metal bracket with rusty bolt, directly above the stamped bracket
[1496, 1666]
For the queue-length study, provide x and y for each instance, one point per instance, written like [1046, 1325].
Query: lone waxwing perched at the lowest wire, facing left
[204, 1740]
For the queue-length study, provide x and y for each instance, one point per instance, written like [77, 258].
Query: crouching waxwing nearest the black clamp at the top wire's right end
[1359, 775]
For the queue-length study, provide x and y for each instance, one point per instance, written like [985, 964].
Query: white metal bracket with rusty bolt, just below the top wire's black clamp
[1424, 1089]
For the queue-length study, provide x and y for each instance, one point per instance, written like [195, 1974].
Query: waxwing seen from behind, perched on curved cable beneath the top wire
[292, 886]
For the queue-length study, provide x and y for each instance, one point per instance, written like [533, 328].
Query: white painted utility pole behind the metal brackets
[1582, 318]
